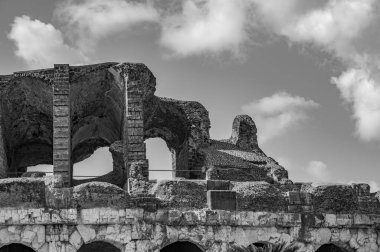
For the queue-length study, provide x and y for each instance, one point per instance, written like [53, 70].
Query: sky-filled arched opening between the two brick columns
[98, 164]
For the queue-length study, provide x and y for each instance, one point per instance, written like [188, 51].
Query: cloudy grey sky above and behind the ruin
[306, 71]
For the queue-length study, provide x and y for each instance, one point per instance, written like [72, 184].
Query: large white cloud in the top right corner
[327, 27]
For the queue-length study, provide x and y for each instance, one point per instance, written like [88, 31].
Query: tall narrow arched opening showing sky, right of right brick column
[160, 159]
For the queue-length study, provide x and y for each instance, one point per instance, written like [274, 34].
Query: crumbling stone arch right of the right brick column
[184, 125]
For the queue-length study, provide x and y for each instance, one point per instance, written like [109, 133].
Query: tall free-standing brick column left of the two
[61, 126]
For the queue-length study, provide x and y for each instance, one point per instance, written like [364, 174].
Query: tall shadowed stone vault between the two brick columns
[97, 121]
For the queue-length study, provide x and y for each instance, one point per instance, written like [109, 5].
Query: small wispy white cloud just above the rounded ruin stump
[276, 114]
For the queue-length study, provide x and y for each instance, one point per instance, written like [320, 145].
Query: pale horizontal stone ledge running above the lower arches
[96, 216]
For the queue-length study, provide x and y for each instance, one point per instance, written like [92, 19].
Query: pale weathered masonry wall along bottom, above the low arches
[139, 230]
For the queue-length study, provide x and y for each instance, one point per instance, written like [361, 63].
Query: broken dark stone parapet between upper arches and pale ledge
[187, 194]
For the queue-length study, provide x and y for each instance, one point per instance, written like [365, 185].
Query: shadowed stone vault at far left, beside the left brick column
[27, 120]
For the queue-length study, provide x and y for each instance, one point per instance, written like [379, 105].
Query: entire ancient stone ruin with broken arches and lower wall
[225, 195]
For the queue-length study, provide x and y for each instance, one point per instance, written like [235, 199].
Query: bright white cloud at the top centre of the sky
[208, 26]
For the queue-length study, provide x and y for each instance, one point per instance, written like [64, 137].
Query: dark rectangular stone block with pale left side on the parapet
[223, 200]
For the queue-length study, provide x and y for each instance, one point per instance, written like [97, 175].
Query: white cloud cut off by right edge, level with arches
[360, 89]
